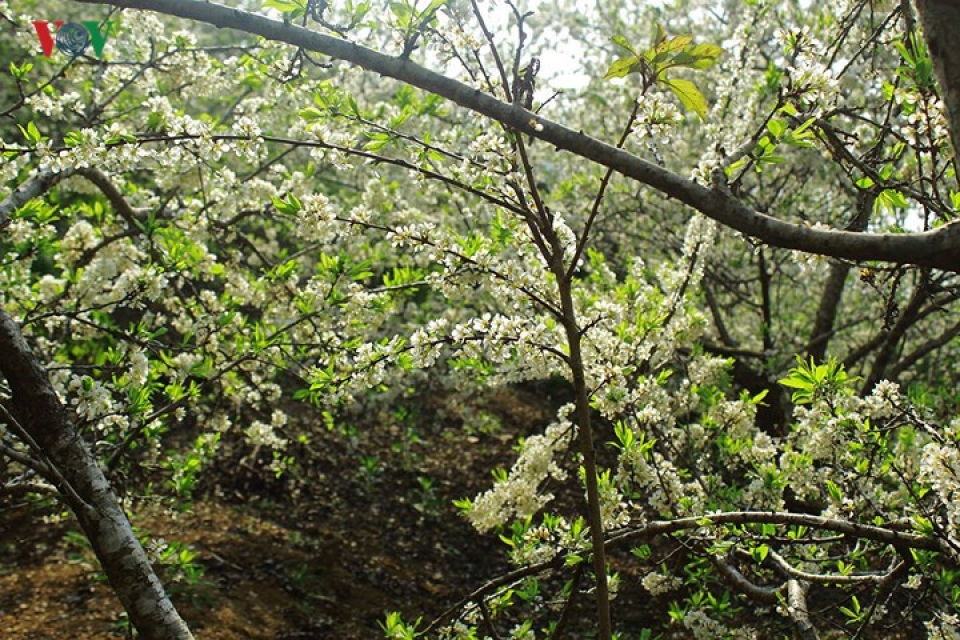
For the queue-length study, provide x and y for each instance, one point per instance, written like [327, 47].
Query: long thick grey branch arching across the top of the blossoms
[939, 248]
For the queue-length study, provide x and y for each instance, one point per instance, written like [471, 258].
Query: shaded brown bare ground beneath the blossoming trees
[370, 529]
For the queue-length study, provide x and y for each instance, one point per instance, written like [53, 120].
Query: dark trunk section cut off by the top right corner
[940, 20]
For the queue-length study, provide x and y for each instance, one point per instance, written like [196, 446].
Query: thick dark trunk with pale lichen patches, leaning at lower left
[47, 425]
